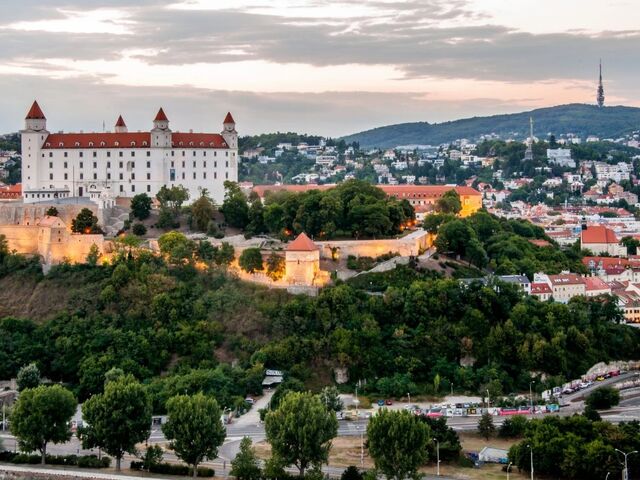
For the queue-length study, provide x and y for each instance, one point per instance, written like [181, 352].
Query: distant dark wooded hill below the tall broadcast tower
[581, 119]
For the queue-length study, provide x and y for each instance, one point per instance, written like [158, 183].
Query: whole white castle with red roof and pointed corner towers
[122, 163]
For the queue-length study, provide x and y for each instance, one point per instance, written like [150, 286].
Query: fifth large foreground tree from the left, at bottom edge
[398, 443]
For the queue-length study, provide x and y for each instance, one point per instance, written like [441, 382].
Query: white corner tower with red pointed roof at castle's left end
[33, 137]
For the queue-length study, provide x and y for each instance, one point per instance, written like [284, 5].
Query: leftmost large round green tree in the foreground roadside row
[41, 415]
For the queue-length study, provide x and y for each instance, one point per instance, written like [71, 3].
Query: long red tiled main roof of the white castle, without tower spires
[131, 140]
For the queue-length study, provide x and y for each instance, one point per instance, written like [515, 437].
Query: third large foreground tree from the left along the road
[194, 428]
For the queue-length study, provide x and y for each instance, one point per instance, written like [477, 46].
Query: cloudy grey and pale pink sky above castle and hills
[329, 67]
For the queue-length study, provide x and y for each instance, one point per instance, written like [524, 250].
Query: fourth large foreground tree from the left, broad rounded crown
[300, 431]
